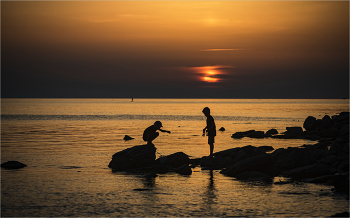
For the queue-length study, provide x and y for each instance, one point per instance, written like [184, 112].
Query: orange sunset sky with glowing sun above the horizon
[175, 49]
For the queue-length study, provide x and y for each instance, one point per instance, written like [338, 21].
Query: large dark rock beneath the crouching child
[135, 157]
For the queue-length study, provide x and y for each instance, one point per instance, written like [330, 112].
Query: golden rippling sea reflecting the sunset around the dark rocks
[67, 145]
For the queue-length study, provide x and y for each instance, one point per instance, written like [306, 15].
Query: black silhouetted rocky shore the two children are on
[327, 161]
